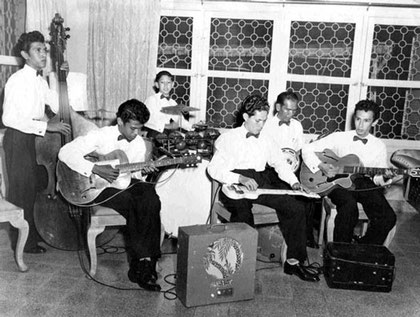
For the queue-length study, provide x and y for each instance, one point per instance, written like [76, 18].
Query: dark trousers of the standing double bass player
[23, 176]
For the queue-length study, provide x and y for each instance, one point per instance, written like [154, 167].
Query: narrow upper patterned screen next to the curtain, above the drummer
[175, 42]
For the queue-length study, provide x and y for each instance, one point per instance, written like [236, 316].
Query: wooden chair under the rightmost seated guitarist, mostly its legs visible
[329, 212]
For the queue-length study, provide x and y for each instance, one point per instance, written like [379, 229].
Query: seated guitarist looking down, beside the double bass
[139, 203]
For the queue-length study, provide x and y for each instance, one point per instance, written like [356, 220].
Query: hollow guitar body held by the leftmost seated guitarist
[79, 189]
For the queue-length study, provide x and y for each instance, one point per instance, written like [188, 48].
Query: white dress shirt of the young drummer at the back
[157, 118]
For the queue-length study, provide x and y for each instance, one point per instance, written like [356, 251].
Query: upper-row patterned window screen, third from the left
[321, 48]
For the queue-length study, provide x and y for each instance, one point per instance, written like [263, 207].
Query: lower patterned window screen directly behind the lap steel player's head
[224, 97]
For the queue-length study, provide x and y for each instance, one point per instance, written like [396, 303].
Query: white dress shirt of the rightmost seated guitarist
[371, 154]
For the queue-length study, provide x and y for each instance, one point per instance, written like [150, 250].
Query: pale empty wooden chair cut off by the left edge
[14, 215]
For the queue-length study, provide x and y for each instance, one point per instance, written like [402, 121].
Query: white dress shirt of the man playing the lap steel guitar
[235, 151]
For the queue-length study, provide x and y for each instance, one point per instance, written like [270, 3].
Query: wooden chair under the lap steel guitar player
[262, 215]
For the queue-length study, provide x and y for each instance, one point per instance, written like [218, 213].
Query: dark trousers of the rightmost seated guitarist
[381, 216]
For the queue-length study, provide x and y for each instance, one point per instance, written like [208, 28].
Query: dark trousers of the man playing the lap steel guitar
[290, 211]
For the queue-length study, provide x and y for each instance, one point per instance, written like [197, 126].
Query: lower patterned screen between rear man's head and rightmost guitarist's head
[322, 107]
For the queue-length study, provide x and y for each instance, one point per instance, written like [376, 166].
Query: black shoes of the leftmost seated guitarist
[142, 273]
